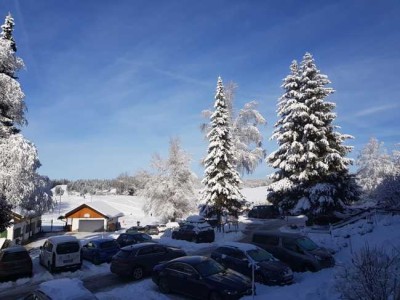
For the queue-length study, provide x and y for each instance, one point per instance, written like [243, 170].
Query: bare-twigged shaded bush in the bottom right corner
[374, 274]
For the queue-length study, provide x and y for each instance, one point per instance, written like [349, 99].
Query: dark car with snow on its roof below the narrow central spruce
[195, 229]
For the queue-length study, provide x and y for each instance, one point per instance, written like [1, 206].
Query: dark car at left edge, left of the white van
[15, 263]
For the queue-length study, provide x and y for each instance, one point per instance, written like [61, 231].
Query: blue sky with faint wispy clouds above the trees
[107, 83]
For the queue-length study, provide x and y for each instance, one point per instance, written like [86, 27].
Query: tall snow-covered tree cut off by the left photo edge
[18, 157]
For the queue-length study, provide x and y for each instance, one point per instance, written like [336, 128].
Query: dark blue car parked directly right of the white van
[100, 250]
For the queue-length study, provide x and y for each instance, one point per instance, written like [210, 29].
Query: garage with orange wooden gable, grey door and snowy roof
[93, 217]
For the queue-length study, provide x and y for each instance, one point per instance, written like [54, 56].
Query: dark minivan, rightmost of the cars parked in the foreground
[297, 250]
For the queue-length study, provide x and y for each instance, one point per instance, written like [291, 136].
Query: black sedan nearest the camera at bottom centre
[200, 277]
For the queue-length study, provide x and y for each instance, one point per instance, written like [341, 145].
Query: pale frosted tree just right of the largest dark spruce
[373, 165]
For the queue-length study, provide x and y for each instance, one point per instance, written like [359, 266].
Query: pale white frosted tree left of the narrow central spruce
[170, 191]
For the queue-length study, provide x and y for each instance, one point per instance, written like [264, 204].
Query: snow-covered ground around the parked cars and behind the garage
[381, 230]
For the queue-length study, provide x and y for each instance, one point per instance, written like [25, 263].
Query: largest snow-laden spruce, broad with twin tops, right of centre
[312, 175]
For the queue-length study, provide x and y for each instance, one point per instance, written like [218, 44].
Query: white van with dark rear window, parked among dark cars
[61, 252]
